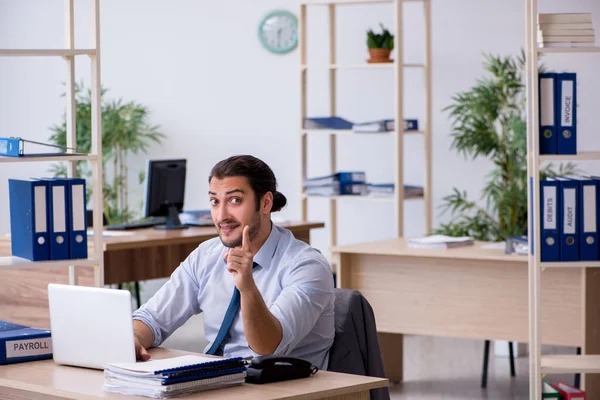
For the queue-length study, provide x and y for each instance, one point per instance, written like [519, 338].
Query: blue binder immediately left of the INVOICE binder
[548, 117]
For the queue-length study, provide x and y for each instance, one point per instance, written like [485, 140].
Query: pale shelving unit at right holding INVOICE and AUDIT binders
[541, 365]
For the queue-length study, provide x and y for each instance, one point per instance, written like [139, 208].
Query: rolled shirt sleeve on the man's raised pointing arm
[307, 291]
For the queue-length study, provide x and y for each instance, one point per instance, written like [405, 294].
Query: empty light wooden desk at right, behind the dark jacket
[468, 292]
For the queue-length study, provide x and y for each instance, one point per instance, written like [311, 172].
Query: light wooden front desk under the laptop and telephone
[45, 380]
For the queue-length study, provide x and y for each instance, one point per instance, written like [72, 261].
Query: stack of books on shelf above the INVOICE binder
[570, 29]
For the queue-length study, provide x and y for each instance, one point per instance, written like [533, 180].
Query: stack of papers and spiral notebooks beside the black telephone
[172, 377]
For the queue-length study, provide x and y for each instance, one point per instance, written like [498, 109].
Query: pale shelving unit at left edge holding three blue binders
[68, 54]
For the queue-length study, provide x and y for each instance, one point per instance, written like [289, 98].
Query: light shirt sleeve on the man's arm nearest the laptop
[174, 303]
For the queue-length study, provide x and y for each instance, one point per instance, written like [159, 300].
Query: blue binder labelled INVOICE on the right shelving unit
[567, 122]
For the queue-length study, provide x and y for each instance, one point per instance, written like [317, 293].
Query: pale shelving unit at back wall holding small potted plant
[398, 66]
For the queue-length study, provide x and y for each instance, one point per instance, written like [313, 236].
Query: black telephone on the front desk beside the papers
[265, 369]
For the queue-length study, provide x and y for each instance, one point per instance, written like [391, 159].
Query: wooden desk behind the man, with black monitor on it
[147, 254]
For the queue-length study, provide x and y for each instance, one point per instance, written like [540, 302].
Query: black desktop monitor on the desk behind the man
[165, 190]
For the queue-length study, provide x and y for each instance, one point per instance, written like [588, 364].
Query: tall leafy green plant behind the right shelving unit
[489, 120]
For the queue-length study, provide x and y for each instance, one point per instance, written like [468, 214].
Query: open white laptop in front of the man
[90, 326]
